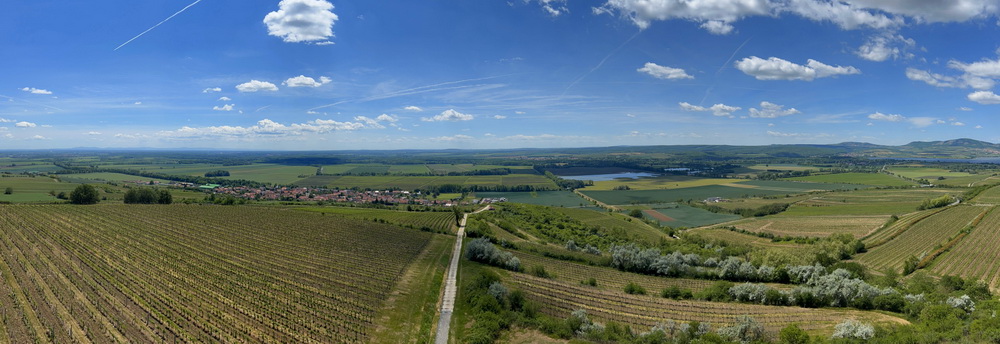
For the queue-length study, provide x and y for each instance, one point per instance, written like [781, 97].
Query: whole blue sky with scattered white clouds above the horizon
[373, 74]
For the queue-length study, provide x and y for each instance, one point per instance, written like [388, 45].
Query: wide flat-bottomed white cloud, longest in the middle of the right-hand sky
[777, 69]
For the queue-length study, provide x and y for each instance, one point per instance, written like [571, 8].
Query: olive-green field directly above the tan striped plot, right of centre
[866, 202]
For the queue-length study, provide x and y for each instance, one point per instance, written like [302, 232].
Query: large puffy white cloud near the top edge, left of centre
[302, 21]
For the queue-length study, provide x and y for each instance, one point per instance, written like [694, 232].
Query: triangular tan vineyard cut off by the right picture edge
[977, 256]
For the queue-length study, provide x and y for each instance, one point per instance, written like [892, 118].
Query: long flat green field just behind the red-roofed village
[417, 182]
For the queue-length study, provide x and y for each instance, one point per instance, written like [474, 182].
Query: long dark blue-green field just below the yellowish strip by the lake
[728, 191]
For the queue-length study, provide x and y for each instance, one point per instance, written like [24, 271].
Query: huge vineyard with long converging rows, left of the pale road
[125, 273]
